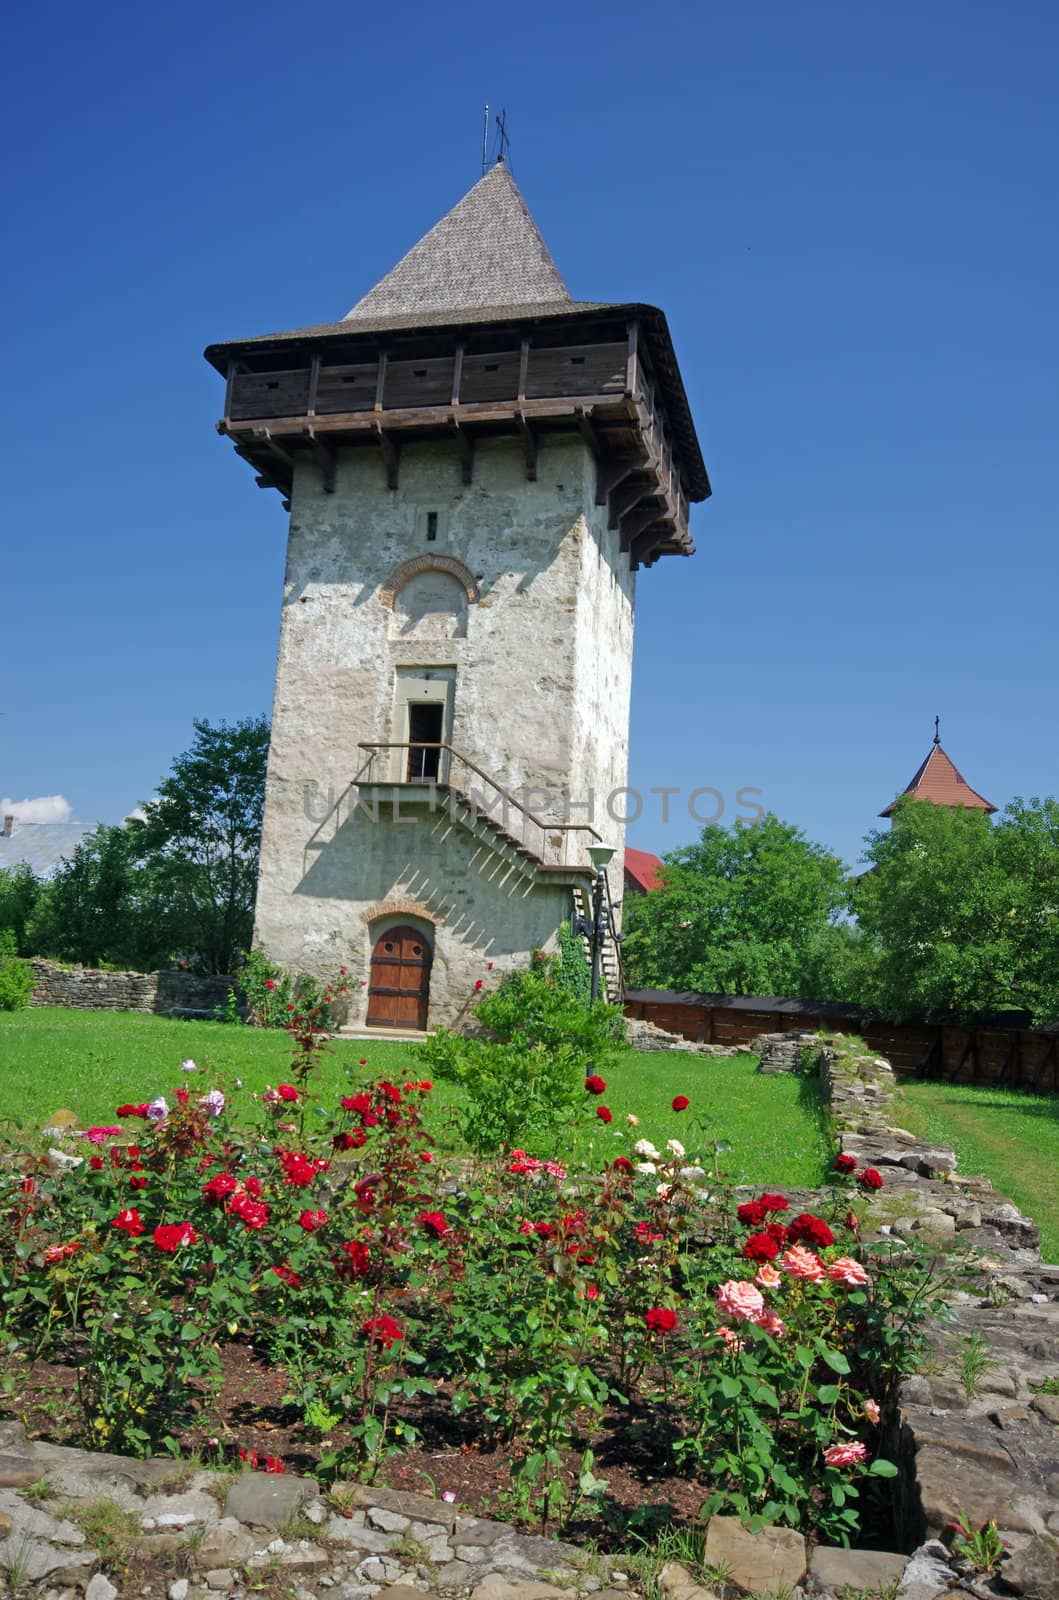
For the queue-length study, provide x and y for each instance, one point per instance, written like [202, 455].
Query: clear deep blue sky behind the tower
[847, 214]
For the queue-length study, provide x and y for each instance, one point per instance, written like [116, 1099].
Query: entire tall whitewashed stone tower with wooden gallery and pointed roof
[476, 468]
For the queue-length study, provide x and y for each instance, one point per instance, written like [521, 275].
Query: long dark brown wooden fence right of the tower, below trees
[1005, 1050]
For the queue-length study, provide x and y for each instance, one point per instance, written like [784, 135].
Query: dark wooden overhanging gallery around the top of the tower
[292, 406]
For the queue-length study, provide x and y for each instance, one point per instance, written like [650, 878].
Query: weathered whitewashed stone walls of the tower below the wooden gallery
[541, 655]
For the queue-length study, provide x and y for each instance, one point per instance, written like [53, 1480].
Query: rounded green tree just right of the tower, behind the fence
[748, 910]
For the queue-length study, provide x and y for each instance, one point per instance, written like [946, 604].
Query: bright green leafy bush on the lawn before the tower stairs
[529, 1079]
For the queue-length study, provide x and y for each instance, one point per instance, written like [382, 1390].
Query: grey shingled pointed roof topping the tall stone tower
[487, 252]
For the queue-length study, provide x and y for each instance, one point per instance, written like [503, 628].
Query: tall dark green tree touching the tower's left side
[202, 838]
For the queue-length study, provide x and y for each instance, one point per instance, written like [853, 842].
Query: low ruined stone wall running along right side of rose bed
[983, 1446]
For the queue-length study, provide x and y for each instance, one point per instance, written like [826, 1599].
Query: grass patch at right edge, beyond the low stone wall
[1009, 1137]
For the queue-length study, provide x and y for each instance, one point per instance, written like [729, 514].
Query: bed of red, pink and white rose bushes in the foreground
[761, 1348]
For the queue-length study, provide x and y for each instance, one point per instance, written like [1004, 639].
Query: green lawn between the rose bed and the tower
[90, 1062]
